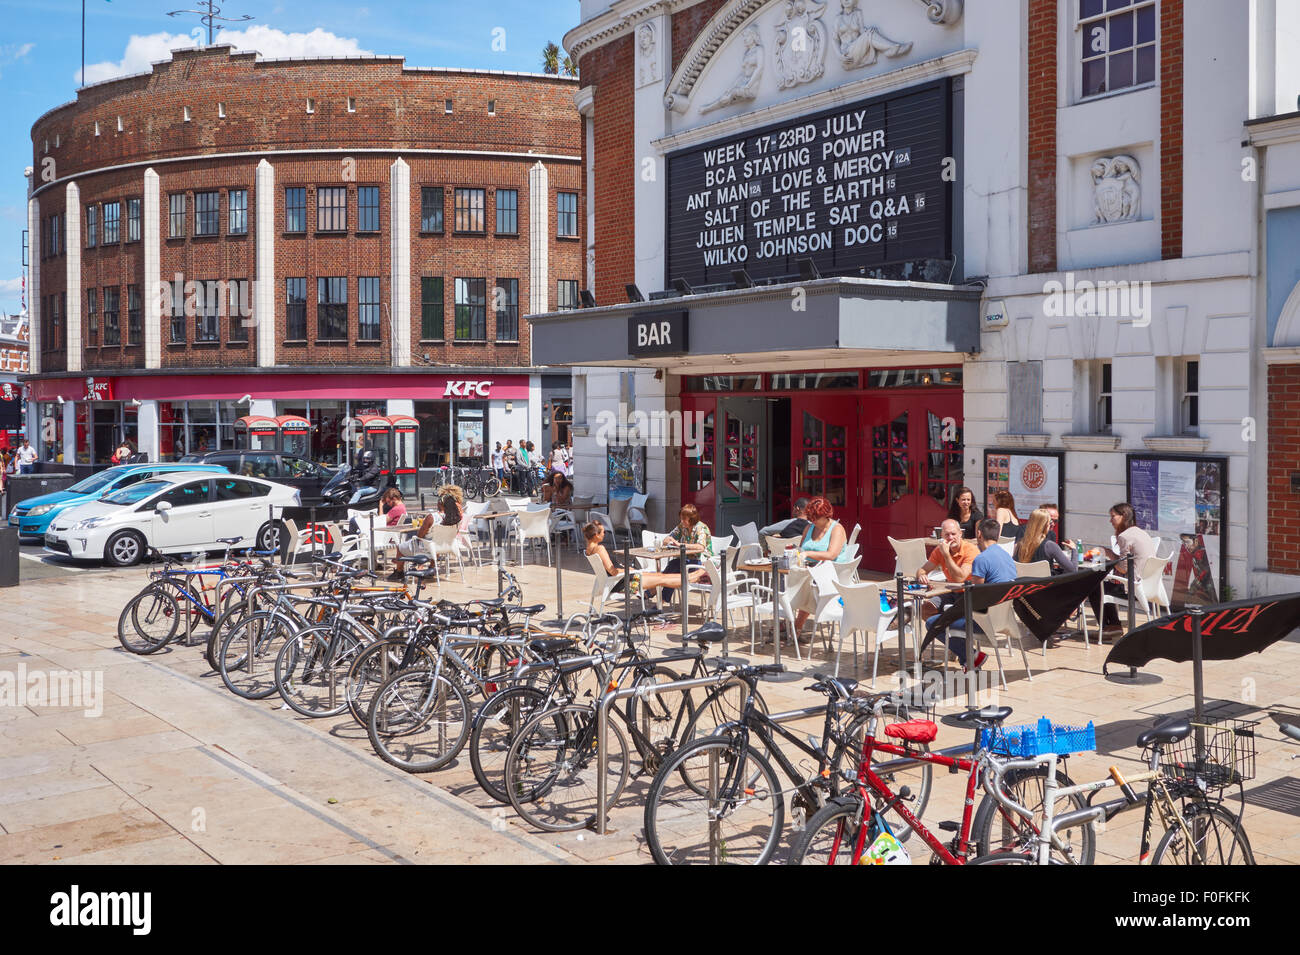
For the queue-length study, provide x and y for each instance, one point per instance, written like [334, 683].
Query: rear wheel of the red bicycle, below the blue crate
[996, 831]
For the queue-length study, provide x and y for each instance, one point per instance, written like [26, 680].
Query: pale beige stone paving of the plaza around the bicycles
[177, 770]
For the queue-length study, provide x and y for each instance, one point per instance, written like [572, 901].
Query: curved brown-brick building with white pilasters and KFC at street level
[229, 236]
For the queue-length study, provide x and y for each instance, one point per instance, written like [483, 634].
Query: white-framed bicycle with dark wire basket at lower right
[1185, 776]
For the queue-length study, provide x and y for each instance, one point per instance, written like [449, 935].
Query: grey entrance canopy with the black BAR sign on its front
[821, 324]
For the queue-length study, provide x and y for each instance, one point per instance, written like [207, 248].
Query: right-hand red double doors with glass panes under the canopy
[912, 450]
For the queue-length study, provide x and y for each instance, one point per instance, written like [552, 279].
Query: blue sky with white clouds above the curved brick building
[41, 58]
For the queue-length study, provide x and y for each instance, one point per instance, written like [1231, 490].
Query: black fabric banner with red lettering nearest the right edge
[1229, 632]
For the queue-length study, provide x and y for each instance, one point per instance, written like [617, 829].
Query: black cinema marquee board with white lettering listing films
[853, 188]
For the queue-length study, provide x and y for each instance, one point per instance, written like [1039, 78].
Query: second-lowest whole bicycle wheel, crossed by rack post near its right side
[552, 769]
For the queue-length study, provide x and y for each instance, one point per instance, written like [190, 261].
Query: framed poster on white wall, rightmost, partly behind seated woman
[1184, 501]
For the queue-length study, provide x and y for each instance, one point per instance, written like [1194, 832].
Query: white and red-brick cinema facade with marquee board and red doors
[883, 251]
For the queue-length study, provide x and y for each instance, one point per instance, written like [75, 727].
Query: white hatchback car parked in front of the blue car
[180, 513]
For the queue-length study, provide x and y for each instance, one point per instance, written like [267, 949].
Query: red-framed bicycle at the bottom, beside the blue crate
[847, 827]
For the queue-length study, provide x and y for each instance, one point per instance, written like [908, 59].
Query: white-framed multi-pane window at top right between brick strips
[1117, 45]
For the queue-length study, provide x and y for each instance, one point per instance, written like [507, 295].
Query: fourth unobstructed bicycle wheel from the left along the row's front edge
[419, 722]
